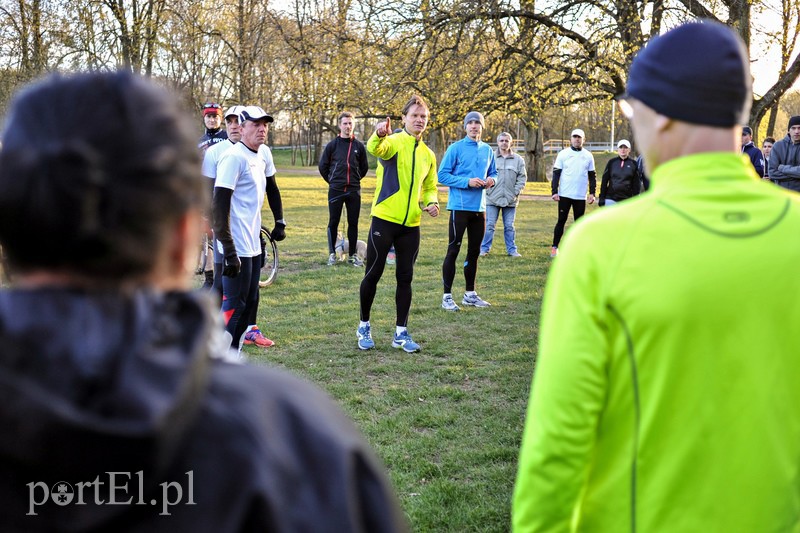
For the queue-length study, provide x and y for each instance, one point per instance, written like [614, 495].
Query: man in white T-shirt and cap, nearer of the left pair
[245, 175]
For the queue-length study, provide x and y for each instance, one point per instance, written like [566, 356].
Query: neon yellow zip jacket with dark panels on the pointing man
[406, 166]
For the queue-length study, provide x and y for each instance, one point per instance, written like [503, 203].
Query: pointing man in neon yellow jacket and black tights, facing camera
[405, 187]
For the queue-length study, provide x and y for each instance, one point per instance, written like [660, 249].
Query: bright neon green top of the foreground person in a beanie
[667, 388]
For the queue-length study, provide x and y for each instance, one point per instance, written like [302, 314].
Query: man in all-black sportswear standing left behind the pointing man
[342, 165]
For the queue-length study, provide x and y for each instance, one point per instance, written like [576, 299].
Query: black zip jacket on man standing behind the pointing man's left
[344, 163]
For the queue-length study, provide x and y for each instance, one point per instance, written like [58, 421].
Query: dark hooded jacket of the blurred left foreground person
[123, 421]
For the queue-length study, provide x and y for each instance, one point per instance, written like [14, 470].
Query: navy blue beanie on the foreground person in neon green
[696, 73]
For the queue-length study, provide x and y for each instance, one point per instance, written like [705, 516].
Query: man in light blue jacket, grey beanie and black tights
[468, 168]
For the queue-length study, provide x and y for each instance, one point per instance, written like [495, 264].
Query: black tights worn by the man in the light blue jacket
[474, 224]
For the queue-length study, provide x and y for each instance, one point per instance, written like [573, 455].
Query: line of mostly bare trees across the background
[536, 69]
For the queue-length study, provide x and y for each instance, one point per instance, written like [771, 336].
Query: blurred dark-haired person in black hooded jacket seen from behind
[130, 400]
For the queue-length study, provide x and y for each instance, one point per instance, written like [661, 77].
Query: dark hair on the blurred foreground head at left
[94, 170]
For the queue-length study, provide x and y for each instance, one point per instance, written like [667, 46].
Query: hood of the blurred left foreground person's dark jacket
[97, 382]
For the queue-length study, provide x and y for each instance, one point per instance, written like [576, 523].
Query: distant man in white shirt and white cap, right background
[573, 172]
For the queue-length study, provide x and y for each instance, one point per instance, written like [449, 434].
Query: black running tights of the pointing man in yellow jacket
[382, 235]
